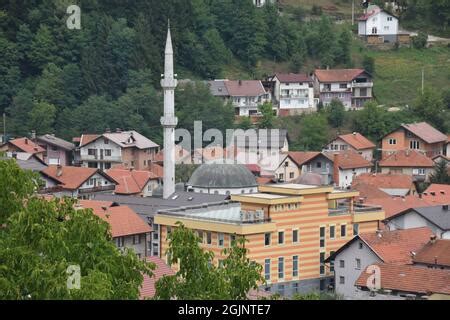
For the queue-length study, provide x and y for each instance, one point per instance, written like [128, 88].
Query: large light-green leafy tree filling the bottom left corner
[40, 239]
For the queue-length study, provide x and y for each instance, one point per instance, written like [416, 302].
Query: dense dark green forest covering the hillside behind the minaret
[106, 75]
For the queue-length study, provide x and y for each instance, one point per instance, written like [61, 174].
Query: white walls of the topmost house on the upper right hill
[380, 23]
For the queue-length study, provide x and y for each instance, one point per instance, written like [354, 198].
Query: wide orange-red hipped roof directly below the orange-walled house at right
[408, 159]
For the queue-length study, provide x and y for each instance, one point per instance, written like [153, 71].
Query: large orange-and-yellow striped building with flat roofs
[291, 229]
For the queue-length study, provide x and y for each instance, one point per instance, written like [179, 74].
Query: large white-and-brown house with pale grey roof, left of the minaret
[104, 151]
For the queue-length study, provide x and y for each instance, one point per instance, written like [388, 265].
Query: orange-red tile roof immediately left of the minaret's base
[130, 181]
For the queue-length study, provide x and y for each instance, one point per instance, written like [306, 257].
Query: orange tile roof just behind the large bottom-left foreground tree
[122, 219]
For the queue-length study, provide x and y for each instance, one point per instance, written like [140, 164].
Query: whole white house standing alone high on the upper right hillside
[377, 22]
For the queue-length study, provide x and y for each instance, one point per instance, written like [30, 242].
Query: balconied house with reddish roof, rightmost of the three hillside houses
[353, 87]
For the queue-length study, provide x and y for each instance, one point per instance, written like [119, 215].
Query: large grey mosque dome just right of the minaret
[222, 176]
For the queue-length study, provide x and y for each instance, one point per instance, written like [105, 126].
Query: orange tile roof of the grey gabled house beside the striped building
[396, 246]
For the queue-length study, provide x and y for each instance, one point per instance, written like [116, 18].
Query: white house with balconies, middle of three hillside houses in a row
[294, 93]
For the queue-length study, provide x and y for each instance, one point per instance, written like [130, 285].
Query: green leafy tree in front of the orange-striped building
[198, 279]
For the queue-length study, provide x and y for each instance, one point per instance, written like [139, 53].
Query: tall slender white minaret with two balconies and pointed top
[169, 121]
